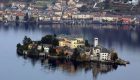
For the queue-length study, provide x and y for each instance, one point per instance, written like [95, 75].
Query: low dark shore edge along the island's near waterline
[118, 62]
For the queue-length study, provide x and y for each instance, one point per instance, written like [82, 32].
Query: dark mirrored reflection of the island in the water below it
[72, 67]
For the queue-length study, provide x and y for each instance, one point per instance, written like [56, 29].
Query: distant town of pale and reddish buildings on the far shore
[71, 11]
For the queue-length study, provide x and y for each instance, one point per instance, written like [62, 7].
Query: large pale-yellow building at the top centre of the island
[71, 42]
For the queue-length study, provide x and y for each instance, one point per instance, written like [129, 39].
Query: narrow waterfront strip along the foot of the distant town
[69, 23]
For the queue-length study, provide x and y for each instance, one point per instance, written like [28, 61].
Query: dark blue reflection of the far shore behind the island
[106, 33]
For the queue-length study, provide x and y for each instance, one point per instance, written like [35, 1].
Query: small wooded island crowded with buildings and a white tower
[70, 48]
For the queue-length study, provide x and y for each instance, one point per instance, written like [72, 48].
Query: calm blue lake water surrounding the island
[125, 40]
